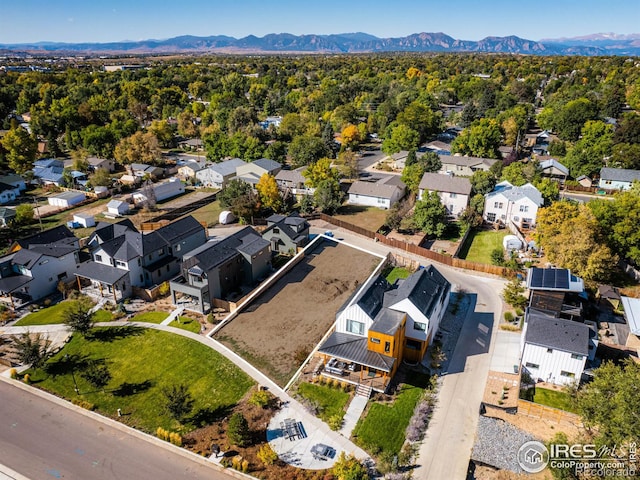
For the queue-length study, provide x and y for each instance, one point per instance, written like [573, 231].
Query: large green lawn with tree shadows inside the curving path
[142, 363]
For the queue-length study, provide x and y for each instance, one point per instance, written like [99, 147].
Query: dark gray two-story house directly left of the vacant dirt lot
[219, 268]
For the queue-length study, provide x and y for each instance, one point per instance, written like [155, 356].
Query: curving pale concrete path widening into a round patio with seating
[297, 452]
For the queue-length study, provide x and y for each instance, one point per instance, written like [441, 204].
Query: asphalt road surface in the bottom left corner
[43, 440]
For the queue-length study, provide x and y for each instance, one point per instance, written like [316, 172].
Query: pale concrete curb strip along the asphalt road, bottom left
[123, 428]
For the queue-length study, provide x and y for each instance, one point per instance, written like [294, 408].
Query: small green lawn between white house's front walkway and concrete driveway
[383, 428]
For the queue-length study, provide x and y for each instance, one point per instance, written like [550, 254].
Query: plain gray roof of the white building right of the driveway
[557, 333]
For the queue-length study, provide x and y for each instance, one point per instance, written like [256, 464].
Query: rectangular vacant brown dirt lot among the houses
[279, 328]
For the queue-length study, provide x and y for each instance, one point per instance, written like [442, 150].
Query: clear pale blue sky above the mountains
[115, 20]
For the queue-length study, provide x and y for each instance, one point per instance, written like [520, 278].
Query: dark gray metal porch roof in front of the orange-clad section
[353, 348]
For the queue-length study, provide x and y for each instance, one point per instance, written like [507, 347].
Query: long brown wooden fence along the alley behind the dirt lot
[418, 250]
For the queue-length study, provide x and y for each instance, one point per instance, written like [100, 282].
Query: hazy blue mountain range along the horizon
[597, 44]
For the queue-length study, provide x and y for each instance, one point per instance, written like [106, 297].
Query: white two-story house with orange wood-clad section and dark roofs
[382, 325]
